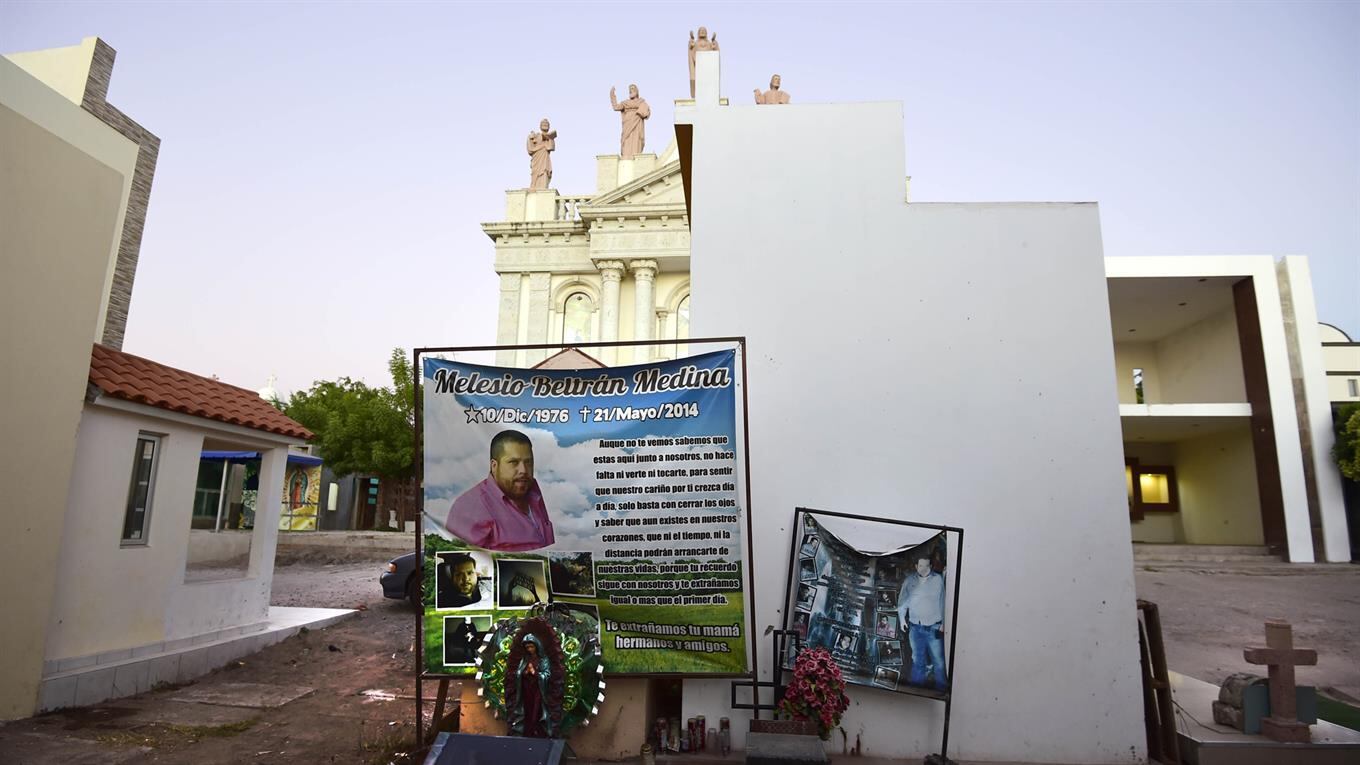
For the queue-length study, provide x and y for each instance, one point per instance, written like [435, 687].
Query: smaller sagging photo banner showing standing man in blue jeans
[881, 616]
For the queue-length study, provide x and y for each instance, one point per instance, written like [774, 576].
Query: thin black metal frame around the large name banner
[420, 468]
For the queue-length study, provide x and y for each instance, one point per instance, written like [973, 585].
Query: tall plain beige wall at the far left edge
[65, 182]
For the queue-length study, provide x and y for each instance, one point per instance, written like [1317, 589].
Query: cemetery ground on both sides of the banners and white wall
[346, 694]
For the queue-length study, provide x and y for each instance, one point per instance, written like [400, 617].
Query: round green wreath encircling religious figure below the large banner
[579, 634]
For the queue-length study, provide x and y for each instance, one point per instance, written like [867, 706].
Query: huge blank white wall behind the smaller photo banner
[870, 394]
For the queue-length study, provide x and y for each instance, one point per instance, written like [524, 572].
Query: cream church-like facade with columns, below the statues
[602, 267]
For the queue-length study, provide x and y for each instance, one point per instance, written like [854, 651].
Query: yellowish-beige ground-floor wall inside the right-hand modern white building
[1221, 503]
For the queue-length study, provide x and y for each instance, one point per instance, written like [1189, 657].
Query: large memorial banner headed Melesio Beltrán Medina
[613, 492]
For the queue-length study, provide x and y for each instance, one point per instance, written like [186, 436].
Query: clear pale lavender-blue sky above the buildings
[324, 168]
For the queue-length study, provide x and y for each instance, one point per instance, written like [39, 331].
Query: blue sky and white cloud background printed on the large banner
[456, 451]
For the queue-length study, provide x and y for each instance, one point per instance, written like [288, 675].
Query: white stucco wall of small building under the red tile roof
[112, 597]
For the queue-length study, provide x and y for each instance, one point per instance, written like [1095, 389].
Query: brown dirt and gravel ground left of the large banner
[335, 723]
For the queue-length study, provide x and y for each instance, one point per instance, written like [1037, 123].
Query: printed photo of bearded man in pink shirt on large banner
[505, 511]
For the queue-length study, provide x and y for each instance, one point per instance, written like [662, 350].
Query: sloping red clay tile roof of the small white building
[145, 382]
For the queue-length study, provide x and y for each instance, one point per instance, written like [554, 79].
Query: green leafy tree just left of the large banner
[360, 428]
